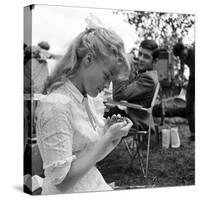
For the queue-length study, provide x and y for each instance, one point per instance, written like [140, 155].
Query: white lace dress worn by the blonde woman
[63, 131]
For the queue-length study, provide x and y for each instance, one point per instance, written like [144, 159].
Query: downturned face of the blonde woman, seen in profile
[98, 74]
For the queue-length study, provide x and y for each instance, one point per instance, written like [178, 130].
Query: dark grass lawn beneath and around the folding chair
[167, 167]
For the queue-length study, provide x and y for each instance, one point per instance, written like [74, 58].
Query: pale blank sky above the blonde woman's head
[59, 25]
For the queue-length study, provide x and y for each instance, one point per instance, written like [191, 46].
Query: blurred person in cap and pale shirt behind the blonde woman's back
[36, 72]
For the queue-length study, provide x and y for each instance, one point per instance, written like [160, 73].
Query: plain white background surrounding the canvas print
[11, 99]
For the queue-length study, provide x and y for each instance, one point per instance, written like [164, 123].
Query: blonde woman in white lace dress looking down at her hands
[69, 136]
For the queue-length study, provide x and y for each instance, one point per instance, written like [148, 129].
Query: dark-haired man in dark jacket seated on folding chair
[139, 89]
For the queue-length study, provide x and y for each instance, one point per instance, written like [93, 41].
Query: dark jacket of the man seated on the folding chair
[138, 91]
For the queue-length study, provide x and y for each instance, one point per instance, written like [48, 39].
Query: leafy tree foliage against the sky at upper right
[165, 28]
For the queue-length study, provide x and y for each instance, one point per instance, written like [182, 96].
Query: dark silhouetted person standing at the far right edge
[187, 56]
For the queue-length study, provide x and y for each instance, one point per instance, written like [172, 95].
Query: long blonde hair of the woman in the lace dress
[100, 42]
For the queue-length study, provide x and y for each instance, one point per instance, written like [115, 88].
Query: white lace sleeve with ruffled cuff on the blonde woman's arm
[55, 138]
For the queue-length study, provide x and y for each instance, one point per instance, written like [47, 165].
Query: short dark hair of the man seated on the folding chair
[151, 45]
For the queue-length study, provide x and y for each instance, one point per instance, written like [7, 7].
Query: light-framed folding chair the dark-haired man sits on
[136, 149]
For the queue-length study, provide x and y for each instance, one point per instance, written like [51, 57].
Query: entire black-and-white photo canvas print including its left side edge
[109, 99]
